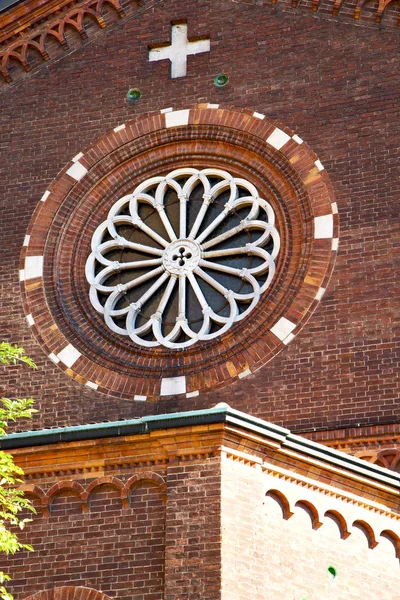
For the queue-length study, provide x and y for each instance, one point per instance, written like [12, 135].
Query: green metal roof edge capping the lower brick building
[219, 414]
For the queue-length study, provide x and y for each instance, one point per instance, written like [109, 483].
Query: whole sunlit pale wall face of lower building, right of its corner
[279, 545]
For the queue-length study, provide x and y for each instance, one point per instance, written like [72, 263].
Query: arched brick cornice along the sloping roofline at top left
[30, 26]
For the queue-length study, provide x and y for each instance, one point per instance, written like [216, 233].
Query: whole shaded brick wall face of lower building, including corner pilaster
[140, 533]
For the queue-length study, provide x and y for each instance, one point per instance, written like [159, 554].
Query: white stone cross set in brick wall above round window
[179, 50]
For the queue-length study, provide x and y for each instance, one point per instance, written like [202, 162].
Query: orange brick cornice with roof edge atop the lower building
[168, 440]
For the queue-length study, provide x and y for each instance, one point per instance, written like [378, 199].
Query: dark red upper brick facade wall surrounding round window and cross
[330, 81]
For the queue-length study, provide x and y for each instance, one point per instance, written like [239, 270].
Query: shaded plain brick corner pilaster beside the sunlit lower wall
[193, 531]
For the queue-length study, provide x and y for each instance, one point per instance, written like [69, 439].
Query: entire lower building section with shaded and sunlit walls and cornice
[206, 512]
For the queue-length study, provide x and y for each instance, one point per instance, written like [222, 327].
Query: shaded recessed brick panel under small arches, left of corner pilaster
[99, 544]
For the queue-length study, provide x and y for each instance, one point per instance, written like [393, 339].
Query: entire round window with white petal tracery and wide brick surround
[208, 236]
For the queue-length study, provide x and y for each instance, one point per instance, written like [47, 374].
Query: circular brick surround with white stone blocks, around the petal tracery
[55, 293]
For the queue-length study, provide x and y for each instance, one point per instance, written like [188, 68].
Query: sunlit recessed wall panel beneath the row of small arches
[297, 558]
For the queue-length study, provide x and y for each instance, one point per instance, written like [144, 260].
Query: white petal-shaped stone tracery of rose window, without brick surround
[182, 258]
